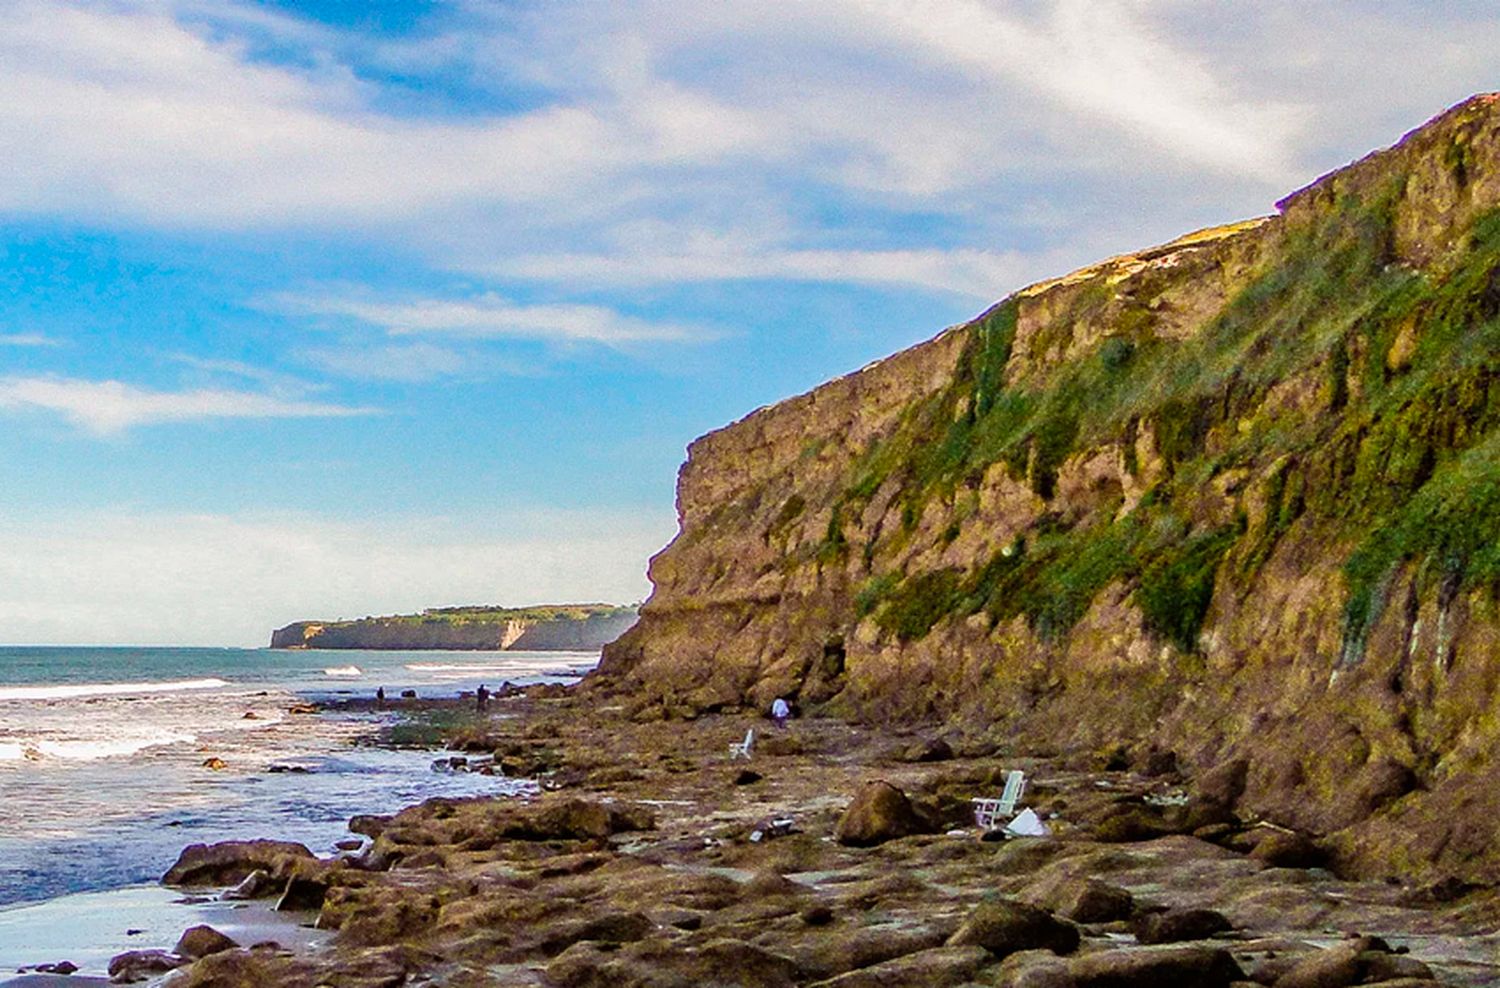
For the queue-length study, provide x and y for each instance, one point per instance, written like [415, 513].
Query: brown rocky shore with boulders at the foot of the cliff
[835, 855]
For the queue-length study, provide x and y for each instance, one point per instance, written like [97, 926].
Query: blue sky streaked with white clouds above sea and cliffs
[326, 310]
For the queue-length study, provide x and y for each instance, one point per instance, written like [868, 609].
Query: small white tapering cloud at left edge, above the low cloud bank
[112, 407]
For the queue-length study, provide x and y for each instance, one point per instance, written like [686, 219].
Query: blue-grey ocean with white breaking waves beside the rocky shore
[106, 753]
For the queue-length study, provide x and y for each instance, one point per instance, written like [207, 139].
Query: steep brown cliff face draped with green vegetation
[1237, 497]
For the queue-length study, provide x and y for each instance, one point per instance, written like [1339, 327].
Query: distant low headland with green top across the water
[562, 627]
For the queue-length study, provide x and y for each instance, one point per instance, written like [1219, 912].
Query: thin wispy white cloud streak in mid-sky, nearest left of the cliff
[491, 317]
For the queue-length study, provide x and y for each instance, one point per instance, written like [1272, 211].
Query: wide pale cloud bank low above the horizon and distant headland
[215, 579]
